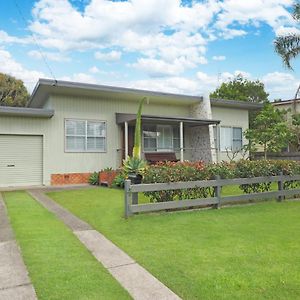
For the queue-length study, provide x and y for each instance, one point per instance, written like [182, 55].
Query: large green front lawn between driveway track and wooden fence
[241, 252]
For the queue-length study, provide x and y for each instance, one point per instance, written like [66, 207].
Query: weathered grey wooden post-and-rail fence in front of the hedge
[131, 193]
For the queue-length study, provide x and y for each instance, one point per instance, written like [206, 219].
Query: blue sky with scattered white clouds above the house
[185, 47]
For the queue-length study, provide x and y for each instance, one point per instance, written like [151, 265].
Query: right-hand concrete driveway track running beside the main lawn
[139, 283]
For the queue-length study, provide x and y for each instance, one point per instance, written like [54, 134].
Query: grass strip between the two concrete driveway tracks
[59, 266]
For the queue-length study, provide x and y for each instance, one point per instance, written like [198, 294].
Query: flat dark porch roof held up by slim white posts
[130, 118]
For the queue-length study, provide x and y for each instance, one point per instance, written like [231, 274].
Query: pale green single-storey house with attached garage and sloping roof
[69, 130]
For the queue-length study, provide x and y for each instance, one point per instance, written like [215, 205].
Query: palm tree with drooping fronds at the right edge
[288, 47]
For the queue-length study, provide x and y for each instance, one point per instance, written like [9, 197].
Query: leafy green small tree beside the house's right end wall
[270, 130]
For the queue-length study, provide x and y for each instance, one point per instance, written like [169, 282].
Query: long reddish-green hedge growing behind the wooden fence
[193, 171]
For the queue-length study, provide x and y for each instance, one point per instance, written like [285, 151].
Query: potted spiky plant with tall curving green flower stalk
[135, 165]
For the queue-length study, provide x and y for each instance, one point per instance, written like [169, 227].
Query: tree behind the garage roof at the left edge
[12, 91]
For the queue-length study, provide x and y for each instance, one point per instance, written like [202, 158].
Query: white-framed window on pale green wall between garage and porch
[85, 136]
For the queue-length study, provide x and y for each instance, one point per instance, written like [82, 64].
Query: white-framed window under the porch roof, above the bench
[161, 138]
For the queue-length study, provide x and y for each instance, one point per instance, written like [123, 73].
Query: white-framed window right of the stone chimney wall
[229, 138]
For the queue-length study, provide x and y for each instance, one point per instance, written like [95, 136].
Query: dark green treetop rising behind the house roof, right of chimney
[241, 89]
